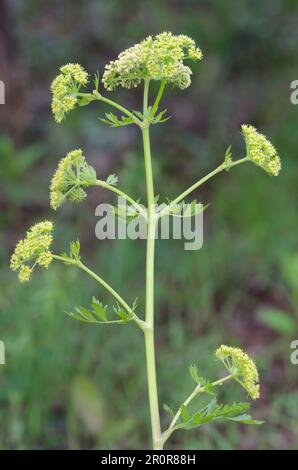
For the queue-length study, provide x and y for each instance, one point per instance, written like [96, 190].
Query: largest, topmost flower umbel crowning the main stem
[155, 58]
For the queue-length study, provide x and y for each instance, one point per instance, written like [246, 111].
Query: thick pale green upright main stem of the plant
[149, 333]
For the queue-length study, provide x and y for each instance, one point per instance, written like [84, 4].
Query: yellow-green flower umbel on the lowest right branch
[242, 367]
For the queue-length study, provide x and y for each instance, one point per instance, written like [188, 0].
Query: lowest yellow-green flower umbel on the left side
[33, 250]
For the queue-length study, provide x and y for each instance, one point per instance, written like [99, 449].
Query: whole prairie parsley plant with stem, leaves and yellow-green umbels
[164, 59]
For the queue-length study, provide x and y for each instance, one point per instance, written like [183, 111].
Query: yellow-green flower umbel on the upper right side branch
[261, 151]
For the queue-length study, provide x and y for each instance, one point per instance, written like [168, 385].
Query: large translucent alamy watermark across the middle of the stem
[178, 222]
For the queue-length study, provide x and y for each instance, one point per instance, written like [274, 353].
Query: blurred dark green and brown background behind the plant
[70, 385]
